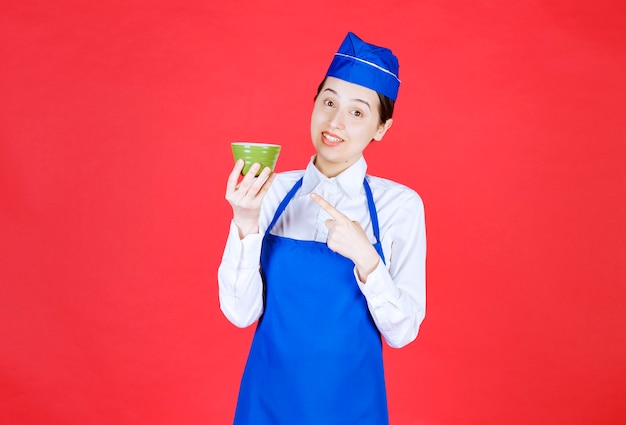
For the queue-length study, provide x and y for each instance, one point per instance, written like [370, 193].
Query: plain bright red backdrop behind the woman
[115, 123]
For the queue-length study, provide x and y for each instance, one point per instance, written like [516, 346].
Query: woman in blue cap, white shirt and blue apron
[327, 260]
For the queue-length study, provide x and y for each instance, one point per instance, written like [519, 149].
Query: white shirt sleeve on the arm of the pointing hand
[396, 293]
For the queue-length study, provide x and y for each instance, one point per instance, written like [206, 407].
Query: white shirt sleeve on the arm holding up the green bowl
[239, 278]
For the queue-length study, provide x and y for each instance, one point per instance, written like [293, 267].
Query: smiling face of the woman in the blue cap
[345, 120]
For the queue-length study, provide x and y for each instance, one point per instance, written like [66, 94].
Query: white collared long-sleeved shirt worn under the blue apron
[395, 291]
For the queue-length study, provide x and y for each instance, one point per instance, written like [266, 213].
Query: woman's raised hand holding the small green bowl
[245, 196]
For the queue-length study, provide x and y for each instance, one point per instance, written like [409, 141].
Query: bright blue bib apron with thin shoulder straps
[316, 355]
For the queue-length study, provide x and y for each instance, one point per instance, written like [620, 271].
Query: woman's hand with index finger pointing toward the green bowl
[347, 237]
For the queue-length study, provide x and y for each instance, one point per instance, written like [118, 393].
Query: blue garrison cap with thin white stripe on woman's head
[367, 65]
